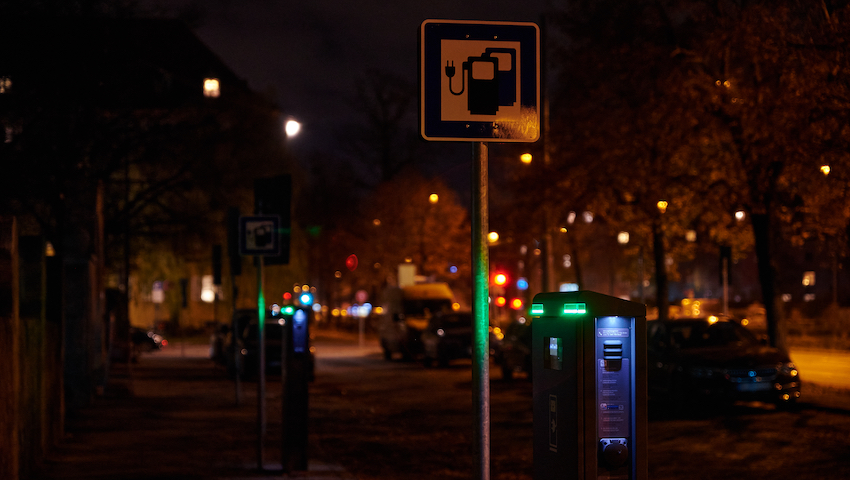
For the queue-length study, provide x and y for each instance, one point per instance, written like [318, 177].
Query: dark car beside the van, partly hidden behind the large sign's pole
[449, 337]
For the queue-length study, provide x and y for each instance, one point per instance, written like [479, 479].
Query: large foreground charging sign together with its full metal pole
[480, 81]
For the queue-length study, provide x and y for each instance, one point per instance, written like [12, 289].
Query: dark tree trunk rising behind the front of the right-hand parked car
[762, 230]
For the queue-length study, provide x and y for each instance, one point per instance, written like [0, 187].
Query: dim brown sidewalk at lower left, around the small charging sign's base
[173, 415]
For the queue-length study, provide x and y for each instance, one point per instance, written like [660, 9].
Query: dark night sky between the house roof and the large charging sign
[310, 53]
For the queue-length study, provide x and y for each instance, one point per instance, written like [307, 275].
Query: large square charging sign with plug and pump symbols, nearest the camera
[479, 81]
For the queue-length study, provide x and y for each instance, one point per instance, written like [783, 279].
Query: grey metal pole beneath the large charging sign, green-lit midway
[480, 311]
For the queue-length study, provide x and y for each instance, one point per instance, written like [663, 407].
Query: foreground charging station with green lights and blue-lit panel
[589, 383]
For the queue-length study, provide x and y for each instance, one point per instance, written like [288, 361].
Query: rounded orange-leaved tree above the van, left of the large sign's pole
[409, 219]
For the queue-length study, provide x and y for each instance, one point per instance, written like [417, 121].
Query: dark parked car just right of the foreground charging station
[716, 360]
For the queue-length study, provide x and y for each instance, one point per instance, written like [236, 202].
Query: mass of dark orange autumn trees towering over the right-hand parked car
[710, 107]
